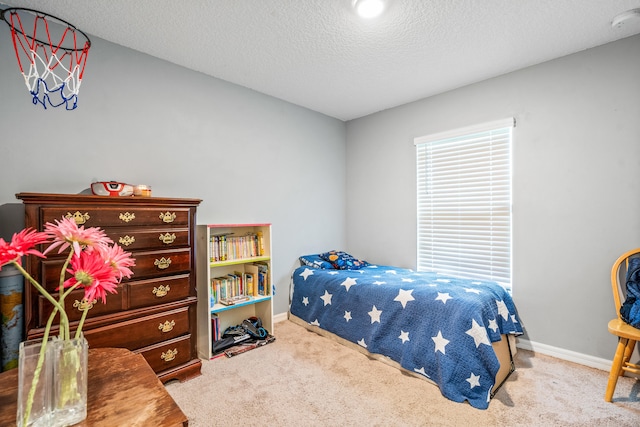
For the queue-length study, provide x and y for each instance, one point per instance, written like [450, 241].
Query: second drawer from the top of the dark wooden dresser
[149, 238]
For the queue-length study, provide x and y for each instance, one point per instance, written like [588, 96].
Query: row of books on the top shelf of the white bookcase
[226, 246]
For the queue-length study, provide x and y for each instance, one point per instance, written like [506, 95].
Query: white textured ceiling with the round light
[318, 54]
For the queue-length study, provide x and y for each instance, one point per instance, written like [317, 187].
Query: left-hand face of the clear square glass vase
[34, 386]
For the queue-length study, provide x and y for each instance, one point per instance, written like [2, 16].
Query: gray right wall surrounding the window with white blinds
[576, 175]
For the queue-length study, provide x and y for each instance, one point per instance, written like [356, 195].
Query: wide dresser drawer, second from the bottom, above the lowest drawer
[142, 332]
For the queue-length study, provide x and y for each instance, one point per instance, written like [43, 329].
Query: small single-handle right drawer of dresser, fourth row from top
[143, 293]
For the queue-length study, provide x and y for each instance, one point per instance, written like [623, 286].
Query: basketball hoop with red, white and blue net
[53, 68]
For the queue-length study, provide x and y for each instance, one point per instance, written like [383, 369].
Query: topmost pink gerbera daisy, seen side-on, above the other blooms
[66, 233]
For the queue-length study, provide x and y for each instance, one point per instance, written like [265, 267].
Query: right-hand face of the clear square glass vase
[69, 362]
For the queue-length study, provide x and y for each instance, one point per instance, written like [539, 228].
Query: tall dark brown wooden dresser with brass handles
[154, 312]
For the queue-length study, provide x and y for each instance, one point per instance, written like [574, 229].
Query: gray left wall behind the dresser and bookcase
[248, 156]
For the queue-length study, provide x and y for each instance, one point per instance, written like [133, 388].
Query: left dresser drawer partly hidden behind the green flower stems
[73, 304]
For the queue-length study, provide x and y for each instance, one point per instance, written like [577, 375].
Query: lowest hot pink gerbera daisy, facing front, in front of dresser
[90, 271]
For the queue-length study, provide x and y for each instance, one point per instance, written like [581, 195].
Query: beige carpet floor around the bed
[303, 379]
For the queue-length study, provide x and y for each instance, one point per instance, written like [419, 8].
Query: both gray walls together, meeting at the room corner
[324, 184]
